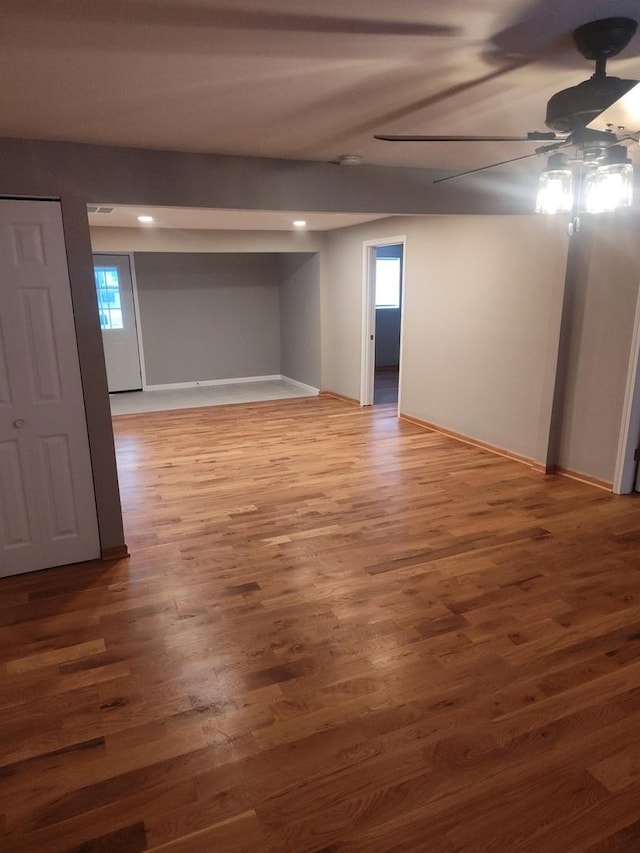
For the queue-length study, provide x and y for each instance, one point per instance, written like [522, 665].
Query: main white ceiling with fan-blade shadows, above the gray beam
[294, 78]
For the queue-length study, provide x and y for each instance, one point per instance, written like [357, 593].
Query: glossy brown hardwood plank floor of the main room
[337, 633]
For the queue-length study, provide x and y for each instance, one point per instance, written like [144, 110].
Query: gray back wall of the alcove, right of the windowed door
[208, 315]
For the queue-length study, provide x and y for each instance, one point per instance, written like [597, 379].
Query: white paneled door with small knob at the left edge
[47, 502]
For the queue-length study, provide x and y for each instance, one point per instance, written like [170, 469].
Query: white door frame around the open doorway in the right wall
[368, 326]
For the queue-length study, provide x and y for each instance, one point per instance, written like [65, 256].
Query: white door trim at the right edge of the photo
[625, 470]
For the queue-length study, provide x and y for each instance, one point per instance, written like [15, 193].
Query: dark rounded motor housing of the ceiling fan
[573, 108]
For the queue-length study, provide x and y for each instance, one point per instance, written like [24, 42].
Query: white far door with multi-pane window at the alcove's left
[118, 321]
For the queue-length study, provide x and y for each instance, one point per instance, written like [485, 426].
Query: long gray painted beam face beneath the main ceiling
[98, 173]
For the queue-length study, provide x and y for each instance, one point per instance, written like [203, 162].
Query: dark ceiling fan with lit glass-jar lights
[595, 117]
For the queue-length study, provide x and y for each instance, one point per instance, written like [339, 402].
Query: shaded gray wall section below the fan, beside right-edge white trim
[602, 290]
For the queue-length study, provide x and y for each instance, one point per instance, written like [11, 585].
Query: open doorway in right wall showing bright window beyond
[382, 321]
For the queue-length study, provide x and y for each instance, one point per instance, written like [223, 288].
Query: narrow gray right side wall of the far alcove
[300, 317]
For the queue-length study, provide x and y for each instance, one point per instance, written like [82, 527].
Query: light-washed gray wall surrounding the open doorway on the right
[482, 312]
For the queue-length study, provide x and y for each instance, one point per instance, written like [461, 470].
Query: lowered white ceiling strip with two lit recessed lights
[126, 216]
